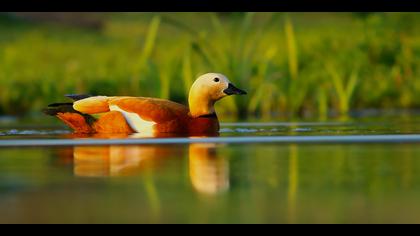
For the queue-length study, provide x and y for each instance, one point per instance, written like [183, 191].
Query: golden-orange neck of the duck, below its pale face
[200, 105]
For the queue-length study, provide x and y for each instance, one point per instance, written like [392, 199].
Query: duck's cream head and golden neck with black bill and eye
[208, 89]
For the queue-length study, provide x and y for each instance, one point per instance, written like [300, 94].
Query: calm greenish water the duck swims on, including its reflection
[223, 182]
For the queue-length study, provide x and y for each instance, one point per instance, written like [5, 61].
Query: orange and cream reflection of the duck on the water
[208, 171]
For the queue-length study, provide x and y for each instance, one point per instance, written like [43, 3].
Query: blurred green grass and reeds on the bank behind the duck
[293, 65]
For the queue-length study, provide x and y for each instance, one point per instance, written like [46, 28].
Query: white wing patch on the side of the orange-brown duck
[135, 121]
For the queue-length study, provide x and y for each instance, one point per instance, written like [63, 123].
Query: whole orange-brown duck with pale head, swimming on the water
[89, 114]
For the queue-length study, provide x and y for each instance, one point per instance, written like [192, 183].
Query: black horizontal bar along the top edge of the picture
[211, 5]
